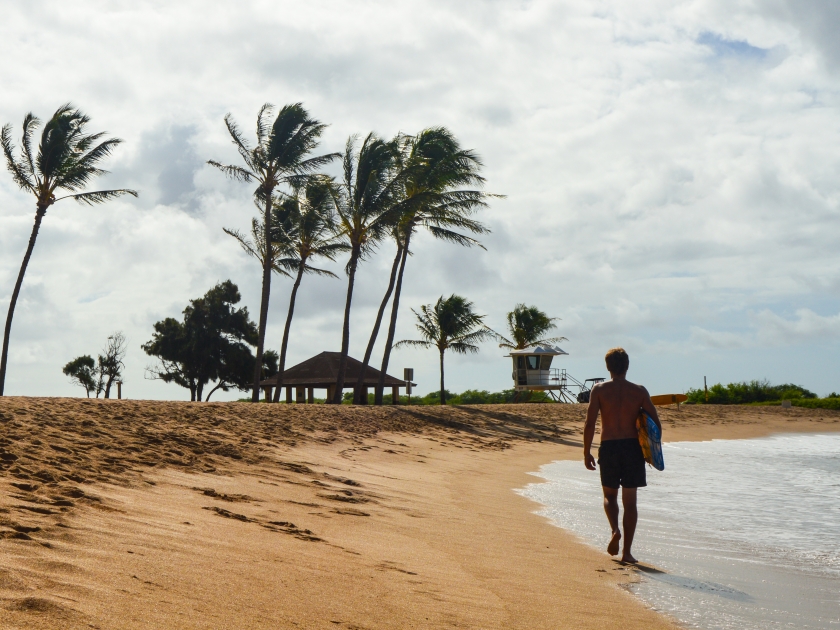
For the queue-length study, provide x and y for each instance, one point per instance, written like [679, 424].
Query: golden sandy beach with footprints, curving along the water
[131, 514]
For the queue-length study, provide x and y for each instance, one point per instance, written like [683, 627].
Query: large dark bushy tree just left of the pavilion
[210, 344]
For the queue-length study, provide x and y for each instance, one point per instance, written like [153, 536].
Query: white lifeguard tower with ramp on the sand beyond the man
[532, 371]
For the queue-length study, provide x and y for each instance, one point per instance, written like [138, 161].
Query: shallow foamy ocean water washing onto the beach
[743, 533]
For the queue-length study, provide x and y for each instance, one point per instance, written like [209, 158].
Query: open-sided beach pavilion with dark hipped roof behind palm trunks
[321, 372]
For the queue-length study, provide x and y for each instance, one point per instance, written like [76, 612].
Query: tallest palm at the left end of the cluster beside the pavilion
[279, 157]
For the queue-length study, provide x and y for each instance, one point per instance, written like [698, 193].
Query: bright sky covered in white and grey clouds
[670, 171]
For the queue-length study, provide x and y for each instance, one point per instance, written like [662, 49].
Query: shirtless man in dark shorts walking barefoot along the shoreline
[620, 455]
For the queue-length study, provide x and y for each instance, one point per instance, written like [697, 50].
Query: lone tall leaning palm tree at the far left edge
[67, 159]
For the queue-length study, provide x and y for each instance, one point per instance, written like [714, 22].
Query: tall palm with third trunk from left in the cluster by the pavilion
[365, 210]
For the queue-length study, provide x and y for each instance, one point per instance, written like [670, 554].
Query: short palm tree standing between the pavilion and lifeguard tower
[451, 324]
